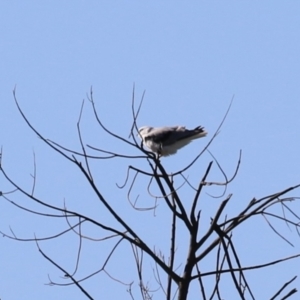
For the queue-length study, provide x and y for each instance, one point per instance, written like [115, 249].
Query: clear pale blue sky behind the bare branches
[191, 58]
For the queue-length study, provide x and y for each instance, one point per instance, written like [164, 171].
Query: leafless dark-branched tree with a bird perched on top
[172, 275]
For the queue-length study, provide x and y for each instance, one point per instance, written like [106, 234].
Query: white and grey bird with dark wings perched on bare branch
[166, 141]
